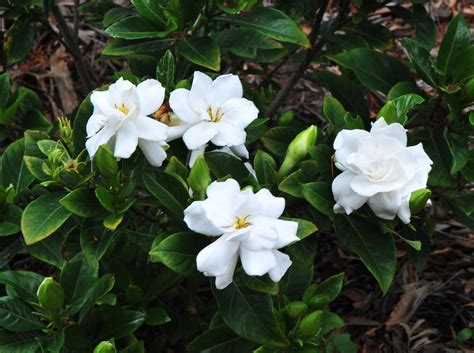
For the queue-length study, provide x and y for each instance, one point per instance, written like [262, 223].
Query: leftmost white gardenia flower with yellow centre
[120, 120]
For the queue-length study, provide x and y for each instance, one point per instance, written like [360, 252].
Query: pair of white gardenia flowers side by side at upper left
[212, 111]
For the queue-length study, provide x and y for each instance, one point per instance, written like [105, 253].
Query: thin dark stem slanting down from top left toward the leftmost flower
[72, 45]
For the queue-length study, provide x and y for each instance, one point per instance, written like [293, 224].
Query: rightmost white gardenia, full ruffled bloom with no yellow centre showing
[378, 168]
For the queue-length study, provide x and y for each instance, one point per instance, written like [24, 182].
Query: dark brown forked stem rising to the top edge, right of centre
[316, 46]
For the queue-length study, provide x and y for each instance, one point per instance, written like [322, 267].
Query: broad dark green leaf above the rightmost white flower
[375, 70]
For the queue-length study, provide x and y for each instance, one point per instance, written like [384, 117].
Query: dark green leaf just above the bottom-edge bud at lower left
[117, 322]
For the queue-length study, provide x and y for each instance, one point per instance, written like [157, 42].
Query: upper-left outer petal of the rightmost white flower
[347, 142]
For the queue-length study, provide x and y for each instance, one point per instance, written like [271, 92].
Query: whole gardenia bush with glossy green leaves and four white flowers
[187, 167]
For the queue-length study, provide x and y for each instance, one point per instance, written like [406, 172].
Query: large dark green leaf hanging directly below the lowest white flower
[250, 314]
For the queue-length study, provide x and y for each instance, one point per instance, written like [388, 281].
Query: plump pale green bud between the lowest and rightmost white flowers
[298, 150]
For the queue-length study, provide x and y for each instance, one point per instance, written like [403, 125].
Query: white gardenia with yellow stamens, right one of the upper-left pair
[213, 111]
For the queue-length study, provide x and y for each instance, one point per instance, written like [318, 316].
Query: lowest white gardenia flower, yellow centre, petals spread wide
[247, 226]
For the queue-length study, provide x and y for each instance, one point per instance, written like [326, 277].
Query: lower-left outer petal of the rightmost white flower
[344, 195]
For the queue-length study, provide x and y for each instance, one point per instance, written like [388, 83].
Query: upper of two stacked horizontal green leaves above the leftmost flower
[136, 27]
